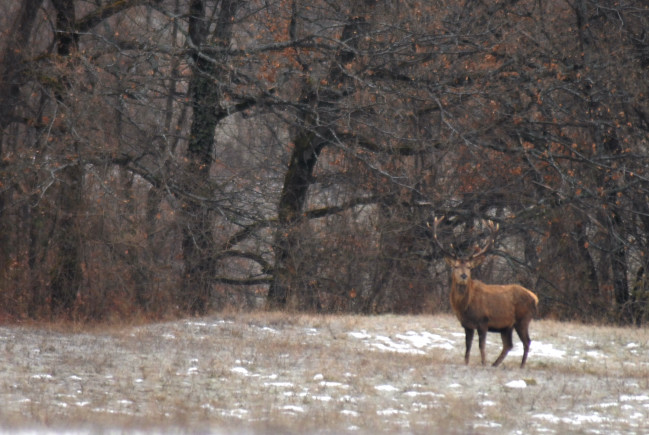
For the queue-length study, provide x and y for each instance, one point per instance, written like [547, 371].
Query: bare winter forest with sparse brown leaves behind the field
[174, 157]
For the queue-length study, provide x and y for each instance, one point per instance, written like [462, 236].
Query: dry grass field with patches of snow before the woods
[266, 373]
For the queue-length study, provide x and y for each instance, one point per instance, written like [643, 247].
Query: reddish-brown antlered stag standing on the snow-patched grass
[487, 307]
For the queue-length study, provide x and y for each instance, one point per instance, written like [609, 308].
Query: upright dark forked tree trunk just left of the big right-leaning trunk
[198, 239]
